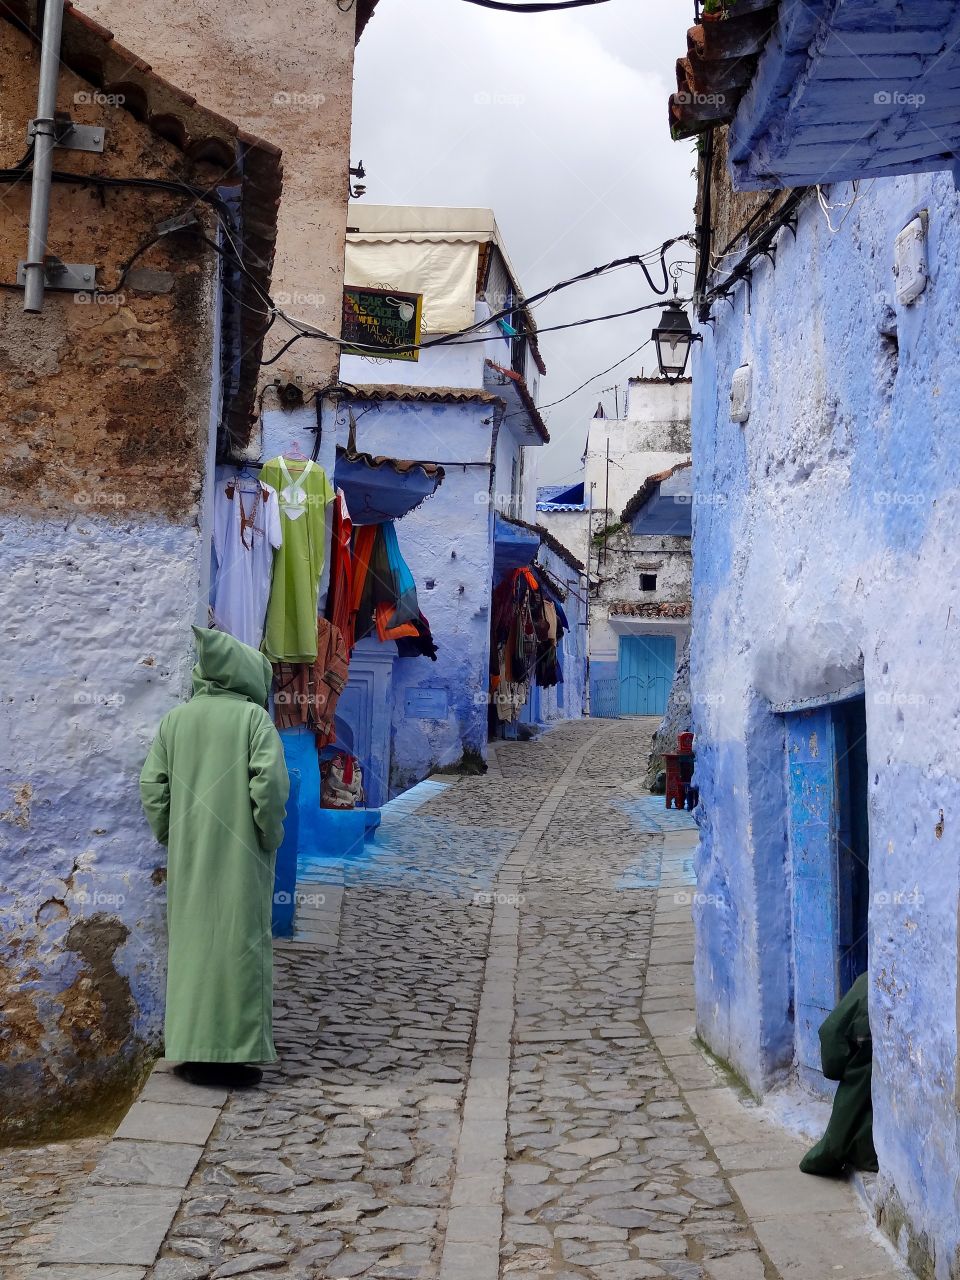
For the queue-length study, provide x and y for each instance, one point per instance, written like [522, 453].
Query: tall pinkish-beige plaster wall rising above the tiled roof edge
[286, 75]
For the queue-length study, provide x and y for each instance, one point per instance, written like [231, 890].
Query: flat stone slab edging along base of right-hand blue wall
[810, 1228]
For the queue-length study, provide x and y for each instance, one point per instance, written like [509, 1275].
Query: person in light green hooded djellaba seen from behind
[214, 789]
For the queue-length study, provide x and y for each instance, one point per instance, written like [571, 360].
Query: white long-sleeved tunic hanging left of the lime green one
[246, 537]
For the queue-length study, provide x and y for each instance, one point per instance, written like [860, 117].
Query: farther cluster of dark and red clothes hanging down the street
[528, 629]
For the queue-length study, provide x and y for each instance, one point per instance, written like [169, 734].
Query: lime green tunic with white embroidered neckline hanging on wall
[304, 493]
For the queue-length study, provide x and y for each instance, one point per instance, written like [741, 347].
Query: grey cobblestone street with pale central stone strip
[487, 1071]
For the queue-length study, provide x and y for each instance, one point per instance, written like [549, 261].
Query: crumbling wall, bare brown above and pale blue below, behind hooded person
[108, 413]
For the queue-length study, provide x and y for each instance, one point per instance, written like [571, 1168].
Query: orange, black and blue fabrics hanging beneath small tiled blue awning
[385, 593]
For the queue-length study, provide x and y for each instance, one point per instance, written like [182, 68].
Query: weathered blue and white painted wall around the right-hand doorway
[826, 551]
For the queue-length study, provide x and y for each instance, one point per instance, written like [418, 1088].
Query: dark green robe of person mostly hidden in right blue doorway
[847, 1053]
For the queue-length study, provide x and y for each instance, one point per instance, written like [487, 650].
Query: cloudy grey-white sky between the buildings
[557, 122]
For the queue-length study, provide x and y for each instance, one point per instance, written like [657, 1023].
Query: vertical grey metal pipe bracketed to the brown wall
[44, 145]
